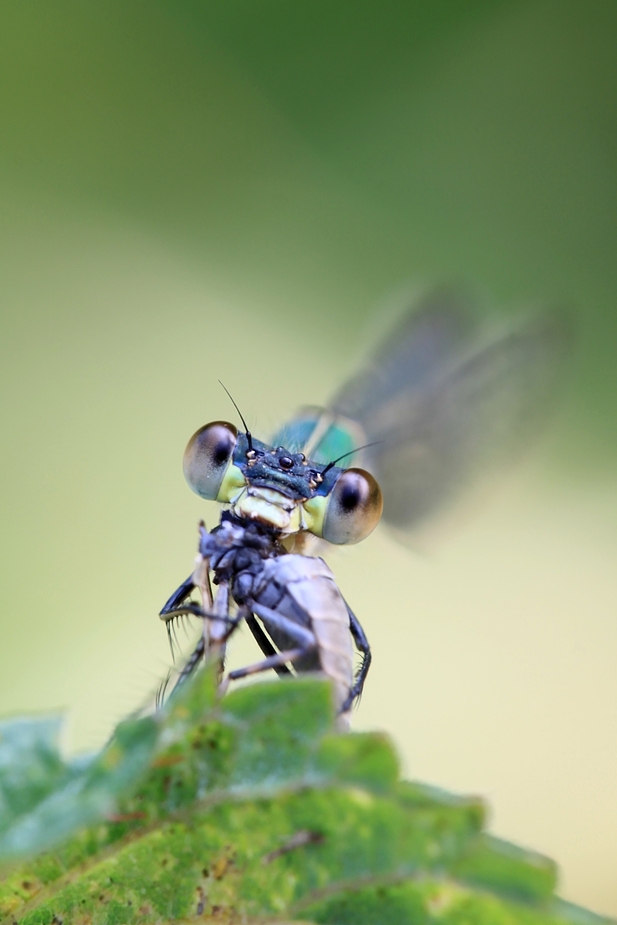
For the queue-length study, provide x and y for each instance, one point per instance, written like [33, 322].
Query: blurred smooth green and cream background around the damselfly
[203, 190]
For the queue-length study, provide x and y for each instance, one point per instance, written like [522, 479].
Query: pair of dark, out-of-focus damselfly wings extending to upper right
[448, 405]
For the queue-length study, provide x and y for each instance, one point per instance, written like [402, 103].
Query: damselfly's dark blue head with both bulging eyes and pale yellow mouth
[280, 488]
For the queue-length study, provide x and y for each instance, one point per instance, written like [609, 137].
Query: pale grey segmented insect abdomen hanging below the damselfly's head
[303, 588]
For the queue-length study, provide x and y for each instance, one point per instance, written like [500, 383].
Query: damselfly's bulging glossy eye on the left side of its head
[207, 458]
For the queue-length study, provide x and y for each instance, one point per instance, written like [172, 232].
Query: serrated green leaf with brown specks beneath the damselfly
[251, 808]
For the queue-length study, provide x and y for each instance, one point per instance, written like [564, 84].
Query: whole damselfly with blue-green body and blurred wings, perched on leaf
[441, 402]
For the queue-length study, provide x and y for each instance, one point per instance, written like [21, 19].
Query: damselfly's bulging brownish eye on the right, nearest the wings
[353, 509]
